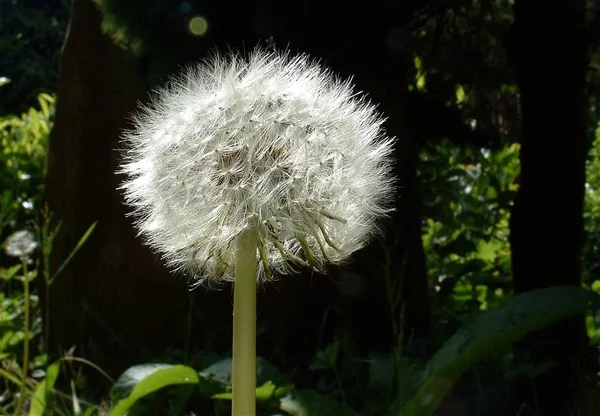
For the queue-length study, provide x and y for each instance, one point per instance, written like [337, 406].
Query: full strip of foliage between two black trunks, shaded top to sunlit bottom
[467, 122]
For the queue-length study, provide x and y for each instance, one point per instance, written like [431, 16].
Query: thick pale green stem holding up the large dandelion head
[244, 325]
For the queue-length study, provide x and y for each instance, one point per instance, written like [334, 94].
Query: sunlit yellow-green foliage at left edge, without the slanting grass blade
[23, 142]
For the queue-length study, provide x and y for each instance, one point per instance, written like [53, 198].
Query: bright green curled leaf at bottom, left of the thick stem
[141, 380]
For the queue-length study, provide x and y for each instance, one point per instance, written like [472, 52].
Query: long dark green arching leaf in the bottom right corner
[492, 331]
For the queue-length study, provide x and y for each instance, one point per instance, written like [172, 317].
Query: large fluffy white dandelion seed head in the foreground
[270, 141]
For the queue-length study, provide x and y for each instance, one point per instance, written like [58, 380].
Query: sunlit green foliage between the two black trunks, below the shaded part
[466, 208]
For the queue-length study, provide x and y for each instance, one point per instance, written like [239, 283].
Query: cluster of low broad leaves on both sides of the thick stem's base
[137, 391]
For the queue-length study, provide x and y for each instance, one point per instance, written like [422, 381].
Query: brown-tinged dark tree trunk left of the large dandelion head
[114, 297]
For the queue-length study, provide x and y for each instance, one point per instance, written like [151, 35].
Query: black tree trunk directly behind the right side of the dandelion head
[369, 44]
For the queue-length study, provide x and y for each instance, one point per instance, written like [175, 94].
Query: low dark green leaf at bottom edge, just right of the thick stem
[309, 403]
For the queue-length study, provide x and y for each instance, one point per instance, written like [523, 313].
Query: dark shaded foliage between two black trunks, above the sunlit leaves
[461, 64]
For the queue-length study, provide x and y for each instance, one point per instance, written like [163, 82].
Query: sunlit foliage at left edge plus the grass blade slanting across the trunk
[23, 143]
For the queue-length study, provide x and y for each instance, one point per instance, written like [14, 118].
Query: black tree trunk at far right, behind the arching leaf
[549, 49]
